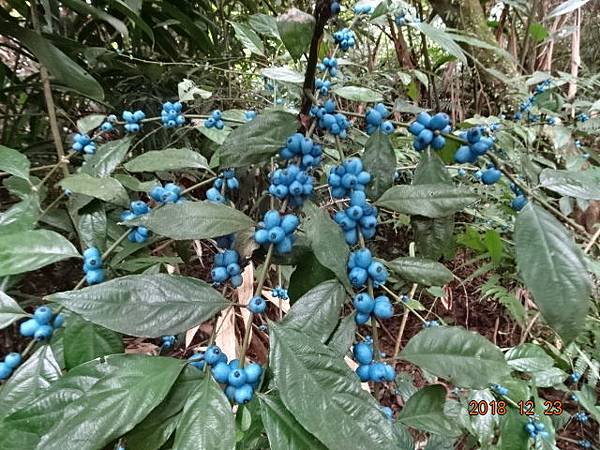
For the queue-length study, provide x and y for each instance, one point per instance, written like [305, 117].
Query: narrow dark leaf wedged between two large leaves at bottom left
[156, 429]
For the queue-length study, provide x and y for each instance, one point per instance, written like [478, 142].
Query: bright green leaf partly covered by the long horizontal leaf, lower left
[84, 341]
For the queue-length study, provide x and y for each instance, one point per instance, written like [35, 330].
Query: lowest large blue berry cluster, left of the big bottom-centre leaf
[240, 383]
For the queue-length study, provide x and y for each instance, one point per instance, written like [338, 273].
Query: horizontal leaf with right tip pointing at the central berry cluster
[194, 220]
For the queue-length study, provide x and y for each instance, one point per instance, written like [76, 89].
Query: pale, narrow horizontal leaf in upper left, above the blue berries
[169, 159]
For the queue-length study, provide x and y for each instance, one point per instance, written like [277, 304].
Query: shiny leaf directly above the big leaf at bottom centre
[317, 312]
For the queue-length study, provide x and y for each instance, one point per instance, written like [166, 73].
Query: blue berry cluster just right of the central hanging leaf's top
[359, 217]
